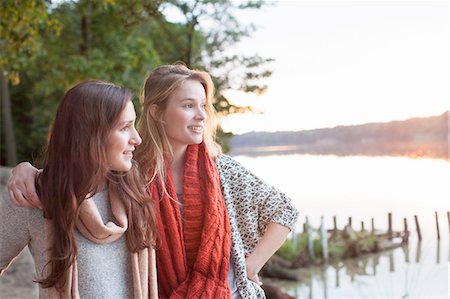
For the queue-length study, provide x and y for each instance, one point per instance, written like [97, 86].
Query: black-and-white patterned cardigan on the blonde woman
[252, 205]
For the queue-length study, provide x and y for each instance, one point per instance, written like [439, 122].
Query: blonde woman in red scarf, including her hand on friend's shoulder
[217, 223]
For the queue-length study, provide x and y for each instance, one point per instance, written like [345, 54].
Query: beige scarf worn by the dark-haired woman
[91, 226]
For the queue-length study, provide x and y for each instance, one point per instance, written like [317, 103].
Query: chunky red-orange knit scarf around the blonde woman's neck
[193, 257]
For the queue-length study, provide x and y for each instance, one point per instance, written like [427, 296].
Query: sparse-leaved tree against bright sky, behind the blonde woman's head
[209, 28]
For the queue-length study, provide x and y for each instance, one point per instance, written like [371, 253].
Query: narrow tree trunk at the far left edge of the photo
[10, 142]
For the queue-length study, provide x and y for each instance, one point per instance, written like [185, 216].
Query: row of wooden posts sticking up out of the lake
[390, 232]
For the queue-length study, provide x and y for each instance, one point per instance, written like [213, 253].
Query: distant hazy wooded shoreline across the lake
[417, 137]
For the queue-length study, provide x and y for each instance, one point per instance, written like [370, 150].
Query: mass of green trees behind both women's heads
[46, 47]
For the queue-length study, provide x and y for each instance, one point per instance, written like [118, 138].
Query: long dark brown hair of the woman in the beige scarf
[76, 167]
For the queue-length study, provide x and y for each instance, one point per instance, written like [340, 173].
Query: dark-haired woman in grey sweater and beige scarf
[93, 238]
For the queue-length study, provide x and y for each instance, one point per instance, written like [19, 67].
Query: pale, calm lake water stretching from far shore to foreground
[364, 188]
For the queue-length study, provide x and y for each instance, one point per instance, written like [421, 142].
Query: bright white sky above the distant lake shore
[346, 62]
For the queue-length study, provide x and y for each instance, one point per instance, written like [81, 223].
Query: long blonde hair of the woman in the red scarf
[158, 87]
